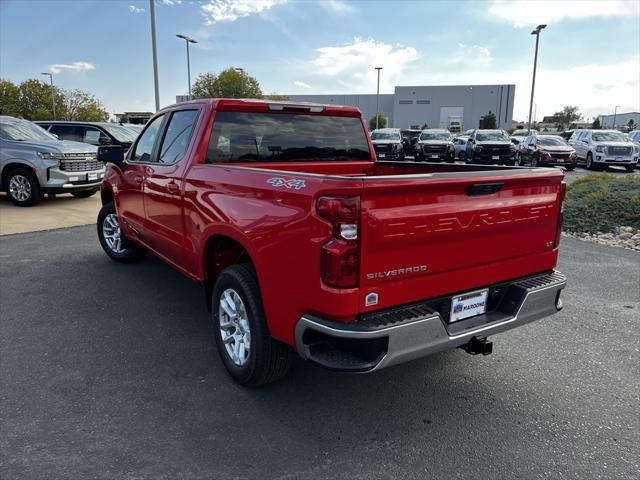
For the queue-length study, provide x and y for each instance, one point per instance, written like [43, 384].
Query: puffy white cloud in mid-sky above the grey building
[352, 64]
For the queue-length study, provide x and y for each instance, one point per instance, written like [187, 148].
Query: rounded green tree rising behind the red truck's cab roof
[229, 83]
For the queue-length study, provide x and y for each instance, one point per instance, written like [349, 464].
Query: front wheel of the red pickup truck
[113, 242]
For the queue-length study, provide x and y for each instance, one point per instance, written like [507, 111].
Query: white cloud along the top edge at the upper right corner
[523, 13]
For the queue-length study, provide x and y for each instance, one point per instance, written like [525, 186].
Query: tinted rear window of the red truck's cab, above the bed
[284, 137]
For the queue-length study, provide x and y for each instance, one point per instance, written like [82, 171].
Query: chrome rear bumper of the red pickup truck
[399, 335]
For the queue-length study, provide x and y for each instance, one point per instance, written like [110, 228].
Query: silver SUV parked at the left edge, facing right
[34, 162]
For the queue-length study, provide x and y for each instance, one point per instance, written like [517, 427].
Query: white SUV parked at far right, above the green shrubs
[604, 147]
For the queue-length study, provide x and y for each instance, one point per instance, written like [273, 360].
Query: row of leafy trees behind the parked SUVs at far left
[31, 99]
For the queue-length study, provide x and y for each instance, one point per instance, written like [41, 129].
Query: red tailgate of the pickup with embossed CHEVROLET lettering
[432, 235]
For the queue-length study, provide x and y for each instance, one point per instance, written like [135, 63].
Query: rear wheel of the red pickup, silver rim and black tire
[249, 353]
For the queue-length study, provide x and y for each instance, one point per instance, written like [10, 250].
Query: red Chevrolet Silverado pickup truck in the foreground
[303, 242]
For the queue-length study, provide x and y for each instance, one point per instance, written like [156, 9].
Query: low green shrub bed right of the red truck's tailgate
[602, 202]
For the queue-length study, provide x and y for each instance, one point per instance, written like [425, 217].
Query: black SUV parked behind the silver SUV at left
[94, 133]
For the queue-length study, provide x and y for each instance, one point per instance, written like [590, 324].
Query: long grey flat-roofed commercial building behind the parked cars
[434, 106]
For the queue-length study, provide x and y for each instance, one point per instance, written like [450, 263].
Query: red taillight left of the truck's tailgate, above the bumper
[339, 256]
